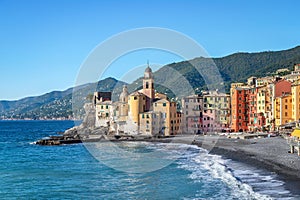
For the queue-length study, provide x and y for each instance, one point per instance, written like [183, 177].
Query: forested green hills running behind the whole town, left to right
[175, 79]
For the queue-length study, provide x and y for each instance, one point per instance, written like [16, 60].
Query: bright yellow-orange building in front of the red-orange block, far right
[283, 109]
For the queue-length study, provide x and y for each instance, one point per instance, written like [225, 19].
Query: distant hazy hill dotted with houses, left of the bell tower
[56, 104]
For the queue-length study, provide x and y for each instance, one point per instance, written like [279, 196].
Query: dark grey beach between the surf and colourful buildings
[266, 153]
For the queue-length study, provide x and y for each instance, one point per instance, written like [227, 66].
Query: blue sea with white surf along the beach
[29, 171]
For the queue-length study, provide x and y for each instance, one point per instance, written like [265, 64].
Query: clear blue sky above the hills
[43, 44]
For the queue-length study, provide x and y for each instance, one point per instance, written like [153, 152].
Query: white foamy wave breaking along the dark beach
[244, 182]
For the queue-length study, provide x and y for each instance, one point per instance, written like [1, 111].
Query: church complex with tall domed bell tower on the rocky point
[142, 112]
